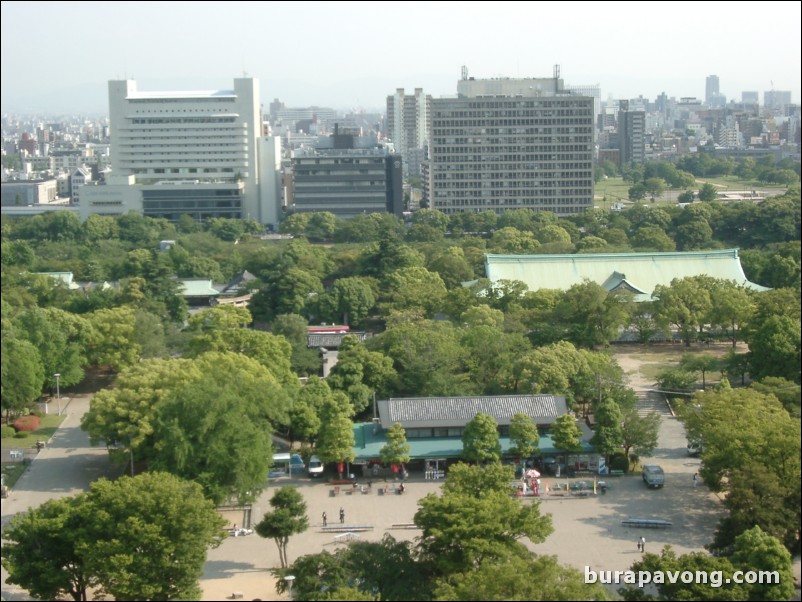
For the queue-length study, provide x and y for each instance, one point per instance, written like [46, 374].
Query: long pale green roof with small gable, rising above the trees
[638, 273]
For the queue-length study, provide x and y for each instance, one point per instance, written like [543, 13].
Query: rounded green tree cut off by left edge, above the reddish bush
[22, 376]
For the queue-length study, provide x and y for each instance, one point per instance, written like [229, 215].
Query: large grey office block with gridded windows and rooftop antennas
[511, 144]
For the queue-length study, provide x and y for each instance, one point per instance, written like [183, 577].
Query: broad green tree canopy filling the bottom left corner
[142, 538]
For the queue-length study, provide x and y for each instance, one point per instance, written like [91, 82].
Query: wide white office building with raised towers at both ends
[184, 152]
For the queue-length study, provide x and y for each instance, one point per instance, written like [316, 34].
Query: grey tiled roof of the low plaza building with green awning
[412, 412]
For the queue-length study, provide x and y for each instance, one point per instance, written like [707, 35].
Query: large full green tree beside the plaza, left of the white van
[216, 429]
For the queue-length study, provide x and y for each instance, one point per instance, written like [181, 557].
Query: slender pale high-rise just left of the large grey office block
[408, 127]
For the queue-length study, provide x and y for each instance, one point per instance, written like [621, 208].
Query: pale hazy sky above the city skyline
[59, 56]
